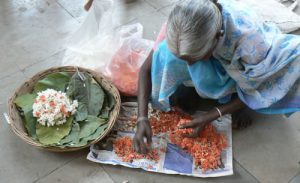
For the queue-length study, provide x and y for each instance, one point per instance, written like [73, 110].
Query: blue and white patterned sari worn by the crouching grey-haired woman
[253, 59]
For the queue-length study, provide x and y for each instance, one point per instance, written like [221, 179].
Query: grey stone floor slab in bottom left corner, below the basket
[21, 162]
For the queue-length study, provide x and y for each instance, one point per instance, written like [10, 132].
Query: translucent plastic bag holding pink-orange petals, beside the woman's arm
[123, 69]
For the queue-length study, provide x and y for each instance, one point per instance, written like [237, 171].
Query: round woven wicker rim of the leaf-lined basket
[103, 81]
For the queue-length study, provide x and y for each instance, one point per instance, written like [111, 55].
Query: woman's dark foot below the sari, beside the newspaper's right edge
[241, 119]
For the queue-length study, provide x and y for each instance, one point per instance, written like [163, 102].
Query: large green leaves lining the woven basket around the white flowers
[88, 123]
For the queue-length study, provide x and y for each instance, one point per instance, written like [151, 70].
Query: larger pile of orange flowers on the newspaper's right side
[206, 148]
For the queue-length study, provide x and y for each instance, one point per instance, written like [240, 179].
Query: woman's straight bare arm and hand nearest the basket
[144, 91]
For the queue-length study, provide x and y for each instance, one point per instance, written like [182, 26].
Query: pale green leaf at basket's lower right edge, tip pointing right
[90, 126]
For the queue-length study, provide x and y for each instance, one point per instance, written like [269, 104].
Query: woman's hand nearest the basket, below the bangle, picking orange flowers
[143, 131]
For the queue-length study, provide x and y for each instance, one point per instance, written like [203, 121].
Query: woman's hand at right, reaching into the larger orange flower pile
[199, 122]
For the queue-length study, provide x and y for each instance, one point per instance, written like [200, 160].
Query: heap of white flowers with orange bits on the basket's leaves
[52, 107]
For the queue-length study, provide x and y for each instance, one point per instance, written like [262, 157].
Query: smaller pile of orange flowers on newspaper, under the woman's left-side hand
[123, 147]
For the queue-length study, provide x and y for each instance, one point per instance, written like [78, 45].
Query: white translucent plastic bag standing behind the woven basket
[93, 44]
